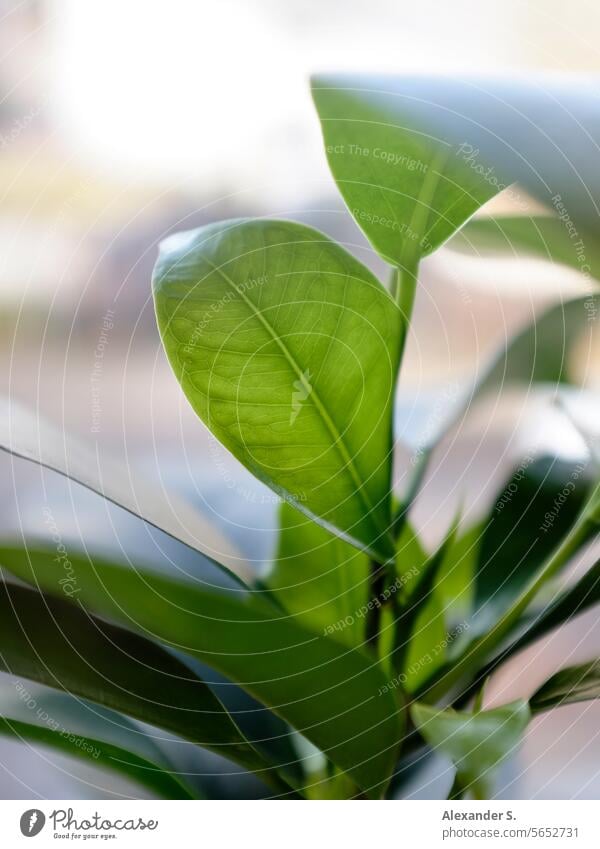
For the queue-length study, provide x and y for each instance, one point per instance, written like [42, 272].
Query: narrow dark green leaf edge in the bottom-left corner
[162, 783]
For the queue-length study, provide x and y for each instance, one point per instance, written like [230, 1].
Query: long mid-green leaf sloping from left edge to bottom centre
[327, 692]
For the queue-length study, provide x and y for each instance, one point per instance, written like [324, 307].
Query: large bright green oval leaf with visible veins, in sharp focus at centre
[287, 349]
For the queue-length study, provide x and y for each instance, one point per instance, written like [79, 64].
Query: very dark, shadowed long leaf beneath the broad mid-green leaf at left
[59, 644]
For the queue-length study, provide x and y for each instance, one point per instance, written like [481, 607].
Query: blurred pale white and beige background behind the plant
[121, 122]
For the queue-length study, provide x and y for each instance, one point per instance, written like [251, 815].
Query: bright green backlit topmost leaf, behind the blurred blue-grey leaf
[407, 189]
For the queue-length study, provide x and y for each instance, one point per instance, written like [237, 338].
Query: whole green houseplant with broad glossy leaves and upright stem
[363, 643]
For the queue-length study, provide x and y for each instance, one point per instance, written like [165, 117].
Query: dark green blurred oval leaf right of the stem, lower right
[531, 515]
